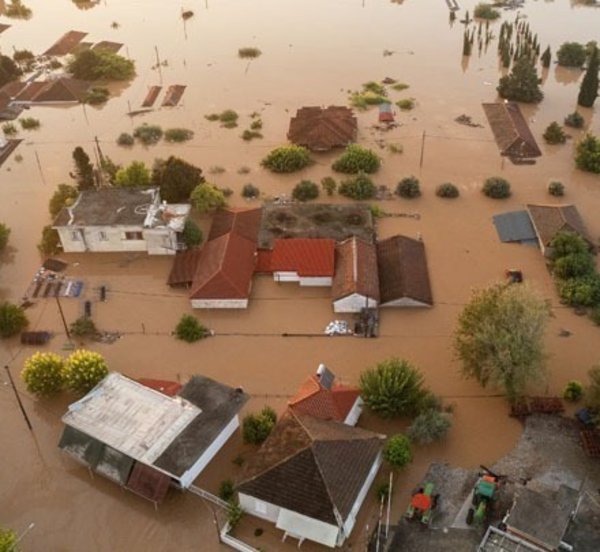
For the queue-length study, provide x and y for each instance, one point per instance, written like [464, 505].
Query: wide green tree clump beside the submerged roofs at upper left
[101, 65]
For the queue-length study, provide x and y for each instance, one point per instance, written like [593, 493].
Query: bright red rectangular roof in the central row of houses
[306, 256]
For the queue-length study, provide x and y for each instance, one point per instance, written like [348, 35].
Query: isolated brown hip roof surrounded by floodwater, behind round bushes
[322, 129]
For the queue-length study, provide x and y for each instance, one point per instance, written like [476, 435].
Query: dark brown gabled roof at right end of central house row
[403, 273]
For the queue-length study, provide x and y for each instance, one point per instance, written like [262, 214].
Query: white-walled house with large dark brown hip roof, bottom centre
[310, 478]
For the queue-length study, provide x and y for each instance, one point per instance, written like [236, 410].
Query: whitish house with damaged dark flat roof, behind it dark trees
[119, 220]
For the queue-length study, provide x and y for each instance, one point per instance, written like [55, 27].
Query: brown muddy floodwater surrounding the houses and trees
[313, 53]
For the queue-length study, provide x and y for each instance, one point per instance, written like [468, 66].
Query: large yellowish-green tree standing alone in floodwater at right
[499, 337]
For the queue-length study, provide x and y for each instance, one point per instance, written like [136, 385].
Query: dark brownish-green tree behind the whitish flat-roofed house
[176, 179]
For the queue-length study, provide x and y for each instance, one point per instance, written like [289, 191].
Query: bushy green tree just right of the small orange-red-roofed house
[393, 388]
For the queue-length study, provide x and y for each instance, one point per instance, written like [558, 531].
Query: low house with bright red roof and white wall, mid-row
[308, 261]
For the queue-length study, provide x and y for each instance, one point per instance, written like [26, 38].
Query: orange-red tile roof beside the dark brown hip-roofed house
[315, 400]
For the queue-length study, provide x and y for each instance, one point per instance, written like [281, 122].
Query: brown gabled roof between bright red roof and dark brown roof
[355, 269]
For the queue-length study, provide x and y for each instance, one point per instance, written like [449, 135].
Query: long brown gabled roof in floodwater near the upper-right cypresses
[510, 130]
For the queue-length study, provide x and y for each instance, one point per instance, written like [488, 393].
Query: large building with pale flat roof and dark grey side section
[146, 440]
